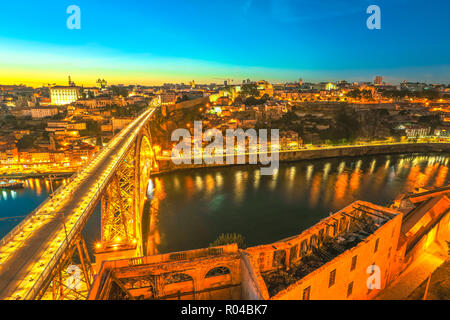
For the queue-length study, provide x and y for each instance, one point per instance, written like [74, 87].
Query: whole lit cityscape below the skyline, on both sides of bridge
[74, 117]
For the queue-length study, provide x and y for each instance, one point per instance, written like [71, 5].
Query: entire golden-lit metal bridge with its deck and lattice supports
[34, 256]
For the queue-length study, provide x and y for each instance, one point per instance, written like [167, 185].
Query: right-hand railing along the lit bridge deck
[33, 292]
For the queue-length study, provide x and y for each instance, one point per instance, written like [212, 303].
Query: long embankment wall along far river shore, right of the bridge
[167, 166]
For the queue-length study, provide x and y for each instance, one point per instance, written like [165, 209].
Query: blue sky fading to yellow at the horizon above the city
[277, 40]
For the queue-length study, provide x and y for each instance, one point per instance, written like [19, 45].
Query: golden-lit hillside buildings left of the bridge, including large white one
[58, 129]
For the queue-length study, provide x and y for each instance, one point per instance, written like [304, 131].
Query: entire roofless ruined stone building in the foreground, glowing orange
[352, 254]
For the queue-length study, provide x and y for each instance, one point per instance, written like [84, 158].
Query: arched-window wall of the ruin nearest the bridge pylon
[203, 274]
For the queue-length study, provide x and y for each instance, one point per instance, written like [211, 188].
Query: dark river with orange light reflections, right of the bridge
[191, 209]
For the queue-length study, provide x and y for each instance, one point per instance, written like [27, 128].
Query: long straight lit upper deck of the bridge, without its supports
[30, 251]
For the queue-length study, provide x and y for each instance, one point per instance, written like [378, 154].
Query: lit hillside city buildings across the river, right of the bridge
[306, 113]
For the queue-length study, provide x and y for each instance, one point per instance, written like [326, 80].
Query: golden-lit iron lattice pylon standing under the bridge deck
[122, 203]
